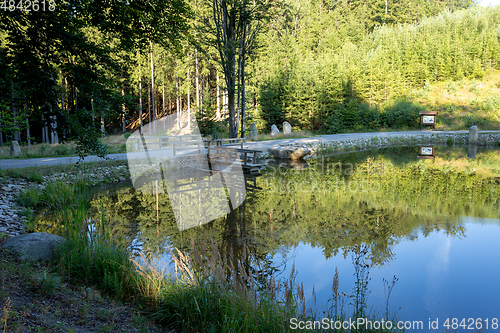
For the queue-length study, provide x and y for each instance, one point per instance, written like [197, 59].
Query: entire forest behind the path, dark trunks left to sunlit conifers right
[78, 70]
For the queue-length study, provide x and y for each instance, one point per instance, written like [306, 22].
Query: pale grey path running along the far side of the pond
[260, 145]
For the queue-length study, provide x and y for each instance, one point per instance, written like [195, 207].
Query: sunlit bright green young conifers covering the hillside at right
[315, 87]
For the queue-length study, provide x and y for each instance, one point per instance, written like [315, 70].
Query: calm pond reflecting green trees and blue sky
[433, 224]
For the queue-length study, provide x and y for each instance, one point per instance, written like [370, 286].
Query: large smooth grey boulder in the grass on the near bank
[38, 246]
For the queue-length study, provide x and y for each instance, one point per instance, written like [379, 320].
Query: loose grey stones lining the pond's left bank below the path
[12, 221]
